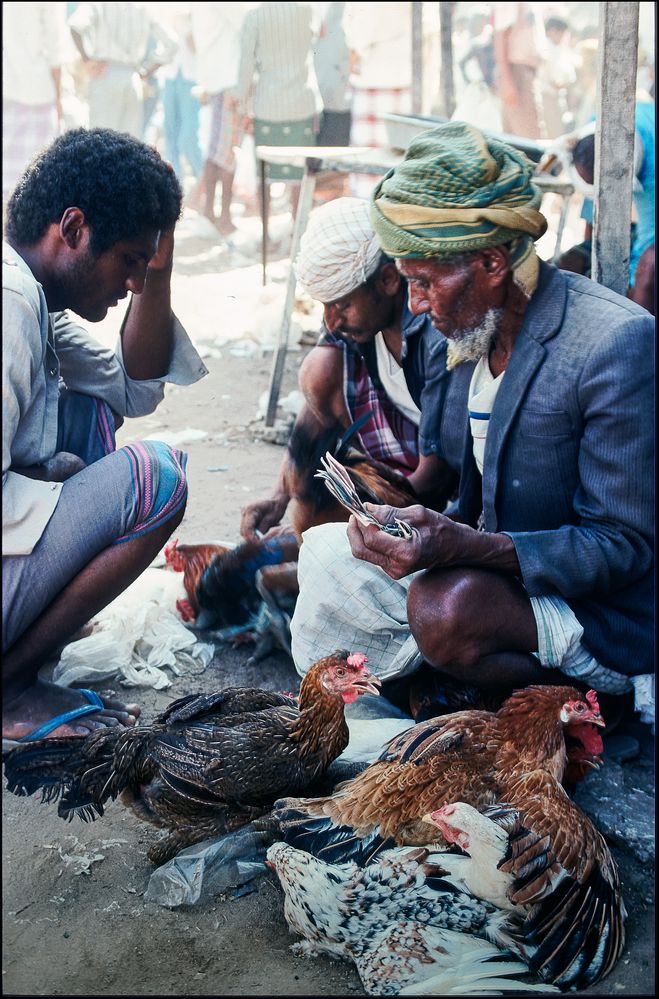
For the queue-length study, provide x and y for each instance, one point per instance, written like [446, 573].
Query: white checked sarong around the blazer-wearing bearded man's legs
[345, 603]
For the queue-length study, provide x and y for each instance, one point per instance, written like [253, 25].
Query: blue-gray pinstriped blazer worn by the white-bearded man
[569, 460]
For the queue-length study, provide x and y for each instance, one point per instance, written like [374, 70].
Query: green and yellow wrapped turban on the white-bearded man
[457, 191]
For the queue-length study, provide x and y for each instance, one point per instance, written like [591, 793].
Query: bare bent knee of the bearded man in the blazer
[477, 626]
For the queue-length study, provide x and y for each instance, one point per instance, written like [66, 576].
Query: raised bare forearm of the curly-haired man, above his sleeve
[147, 332]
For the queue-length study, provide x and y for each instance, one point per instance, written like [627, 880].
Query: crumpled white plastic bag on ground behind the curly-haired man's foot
[137, 637]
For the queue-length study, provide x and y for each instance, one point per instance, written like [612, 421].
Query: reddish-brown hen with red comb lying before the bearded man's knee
[466, 756]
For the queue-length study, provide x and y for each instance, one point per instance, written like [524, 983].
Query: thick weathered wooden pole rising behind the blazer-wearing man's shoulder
[614, 144]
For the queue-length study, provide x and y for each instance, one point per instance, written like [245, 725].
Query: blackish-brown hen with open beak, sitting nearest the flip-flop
[208, 764]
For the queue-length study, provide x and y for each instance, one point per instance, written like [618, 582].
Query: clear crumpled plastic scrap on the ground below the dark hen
[207, 868]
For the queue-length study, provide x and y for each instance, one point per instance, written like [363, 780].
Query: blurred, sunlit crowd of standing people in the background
[204, 82]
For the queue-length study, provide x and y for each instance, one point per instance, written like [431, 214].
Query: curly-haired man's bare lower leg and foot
[29, 702]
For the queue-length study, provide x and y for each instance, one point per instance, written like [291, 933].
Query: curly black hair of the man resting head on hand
[122, 185]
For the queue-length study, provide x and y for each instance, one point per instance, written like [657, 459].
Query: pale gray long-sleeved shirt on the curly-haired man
[39, 352]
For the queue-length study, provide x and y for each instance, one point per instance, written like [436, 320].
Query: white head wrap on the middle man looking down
[339, 249]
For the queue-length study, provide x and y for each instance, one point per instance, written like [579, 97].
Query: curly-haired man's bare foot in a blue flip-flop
[43, 701]
